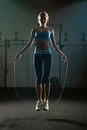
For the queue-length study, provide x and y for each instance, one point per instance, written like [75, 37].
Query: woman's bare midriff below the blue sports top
[43, 45]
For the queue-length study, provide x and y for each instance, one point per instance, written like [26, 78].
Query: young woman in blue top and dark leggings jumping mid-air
[44, 37]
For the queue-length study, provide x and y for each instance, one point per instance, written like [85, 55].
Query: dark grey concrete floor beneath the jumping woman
[69, 113]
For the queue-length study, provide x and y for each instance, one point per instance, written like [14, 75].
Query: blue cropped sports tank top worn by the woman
[45, 35]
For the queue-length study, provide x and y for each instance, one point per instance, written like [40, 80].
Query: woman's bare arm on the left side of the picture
[28, 45]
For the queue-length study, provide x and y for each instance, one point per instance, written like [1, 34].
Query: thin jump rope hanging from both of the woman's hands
[62, 89]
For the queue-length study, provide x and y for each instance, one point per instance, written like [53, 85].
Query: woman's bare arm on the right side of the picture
[54, 45]
